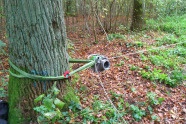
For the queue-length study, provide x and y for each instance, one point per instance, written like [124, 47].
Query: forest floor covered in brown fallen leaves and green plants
[135, 83]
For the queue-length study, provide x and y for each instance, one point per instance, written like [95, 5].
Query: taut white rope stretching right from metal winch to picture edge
[145, 50]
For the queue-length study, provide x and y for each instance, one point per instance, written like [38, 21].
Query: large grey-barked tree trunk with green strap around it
[37, 43]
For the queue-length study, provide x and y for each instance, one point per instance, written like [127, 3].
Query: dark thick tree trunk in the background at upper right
[137, 21]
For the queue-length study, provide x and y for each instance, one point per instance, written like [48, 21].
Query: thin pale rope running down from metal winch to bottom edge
[109, 98]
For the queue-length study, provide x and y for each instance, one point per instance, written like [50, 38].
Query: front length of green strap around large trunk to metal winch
[23, 74]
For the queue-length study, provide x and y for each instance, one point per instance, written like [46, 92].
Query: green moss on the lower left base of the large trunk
[18, 93]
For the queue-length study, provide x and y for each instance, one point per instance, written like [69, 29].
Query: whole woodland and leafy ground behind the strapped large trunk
[145, 88]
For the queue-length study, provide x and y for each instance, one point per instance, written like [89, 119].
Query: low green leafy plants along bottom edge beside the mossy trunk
[98, 112]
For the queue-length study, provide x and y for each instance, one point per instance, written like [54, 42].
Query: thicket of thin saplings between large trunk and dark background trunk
[112, 14]
